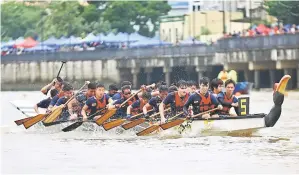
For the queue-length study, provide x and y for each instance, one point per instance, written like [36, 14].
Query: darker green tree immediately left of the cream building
[127, 15]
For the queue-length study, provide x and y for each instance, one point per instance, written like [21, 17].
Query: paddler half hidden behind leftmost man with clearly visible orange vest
[75, 106]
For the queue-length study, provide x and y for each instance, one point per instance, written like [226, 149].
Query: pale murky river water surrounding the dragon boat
[42, 150]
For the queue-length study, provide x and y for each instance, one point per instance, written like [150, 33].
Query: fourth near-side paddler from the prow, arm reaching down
[154, 102]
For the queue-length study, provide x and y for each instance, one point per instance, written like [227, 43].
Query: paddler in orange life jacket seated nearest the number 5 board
[228, 100]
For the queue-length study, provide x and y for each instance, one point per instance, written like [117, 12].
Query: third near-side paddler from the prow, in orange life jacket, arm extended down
[176, 100]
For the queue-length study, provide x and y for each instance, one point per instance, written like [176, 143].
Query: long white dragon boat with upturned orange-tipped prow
[243, 125]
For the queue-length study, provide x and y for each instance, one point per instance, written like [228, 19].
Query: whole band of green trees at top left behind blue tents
[66, 18]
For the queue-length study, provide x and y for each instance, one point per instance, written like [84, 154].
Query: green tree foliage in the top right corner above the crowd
[286, 11]
